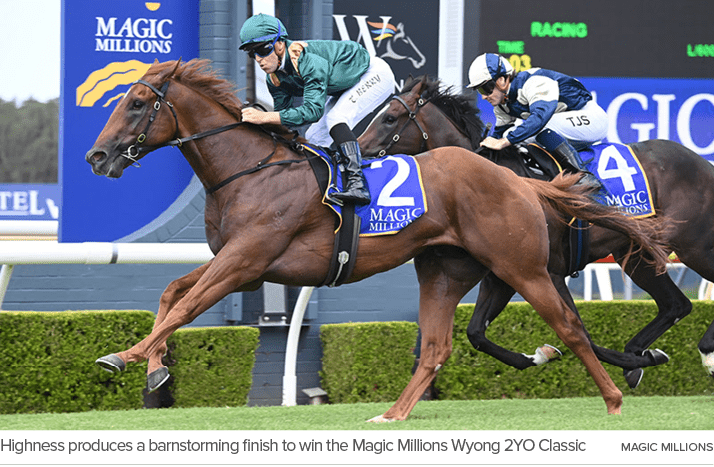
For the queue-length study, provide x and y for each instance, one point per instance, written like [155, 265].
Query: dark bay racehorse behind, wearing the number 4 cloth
[426, 116]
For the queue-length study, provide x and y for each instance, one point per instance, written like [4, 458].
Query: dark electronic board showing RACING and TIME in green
[608, 38]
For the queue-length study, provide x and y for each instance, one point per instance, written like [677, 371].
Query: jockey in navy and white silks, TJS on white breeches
[539, 106]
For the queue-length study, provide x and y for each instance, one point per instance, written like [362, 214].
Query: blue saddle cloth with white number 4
[621, 173]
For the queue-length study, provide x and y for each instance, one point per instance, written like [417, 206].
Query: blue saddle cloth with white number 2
[395, 185]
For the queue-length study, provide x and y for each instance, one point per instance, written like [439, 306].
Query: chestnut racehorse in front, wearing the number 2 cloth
[265, 222]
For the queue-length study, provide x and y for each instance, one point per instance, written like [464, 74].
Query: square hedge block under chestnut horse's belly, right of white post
[367, 362]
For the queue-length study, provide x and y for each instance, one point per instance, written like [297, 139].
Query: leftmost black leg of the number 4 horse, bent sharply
[494, 295]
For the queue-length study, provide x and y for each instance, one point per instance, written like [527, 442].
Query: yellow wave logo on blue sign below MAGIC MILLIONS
[105, 80]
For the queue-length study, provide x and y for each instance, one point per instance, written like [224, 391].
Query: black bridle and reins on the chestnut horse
[178, 142]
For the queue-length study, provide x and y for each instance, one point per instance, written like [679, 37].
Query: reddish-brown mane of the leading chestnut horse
[199, 75]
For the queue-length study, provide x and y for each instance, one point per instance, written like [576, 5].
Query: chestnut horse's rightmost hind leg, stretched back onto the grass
[541, 294]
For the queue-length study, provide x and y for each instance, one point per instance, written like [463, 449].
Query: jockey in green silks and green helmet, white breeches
[338, 81]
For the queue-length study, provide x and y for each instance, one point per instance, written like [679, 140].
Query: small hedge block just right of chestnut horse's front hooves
[212, 367]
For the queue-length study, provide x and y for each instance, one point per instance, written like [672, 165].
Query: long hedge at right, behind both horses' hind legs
[469, 374]
